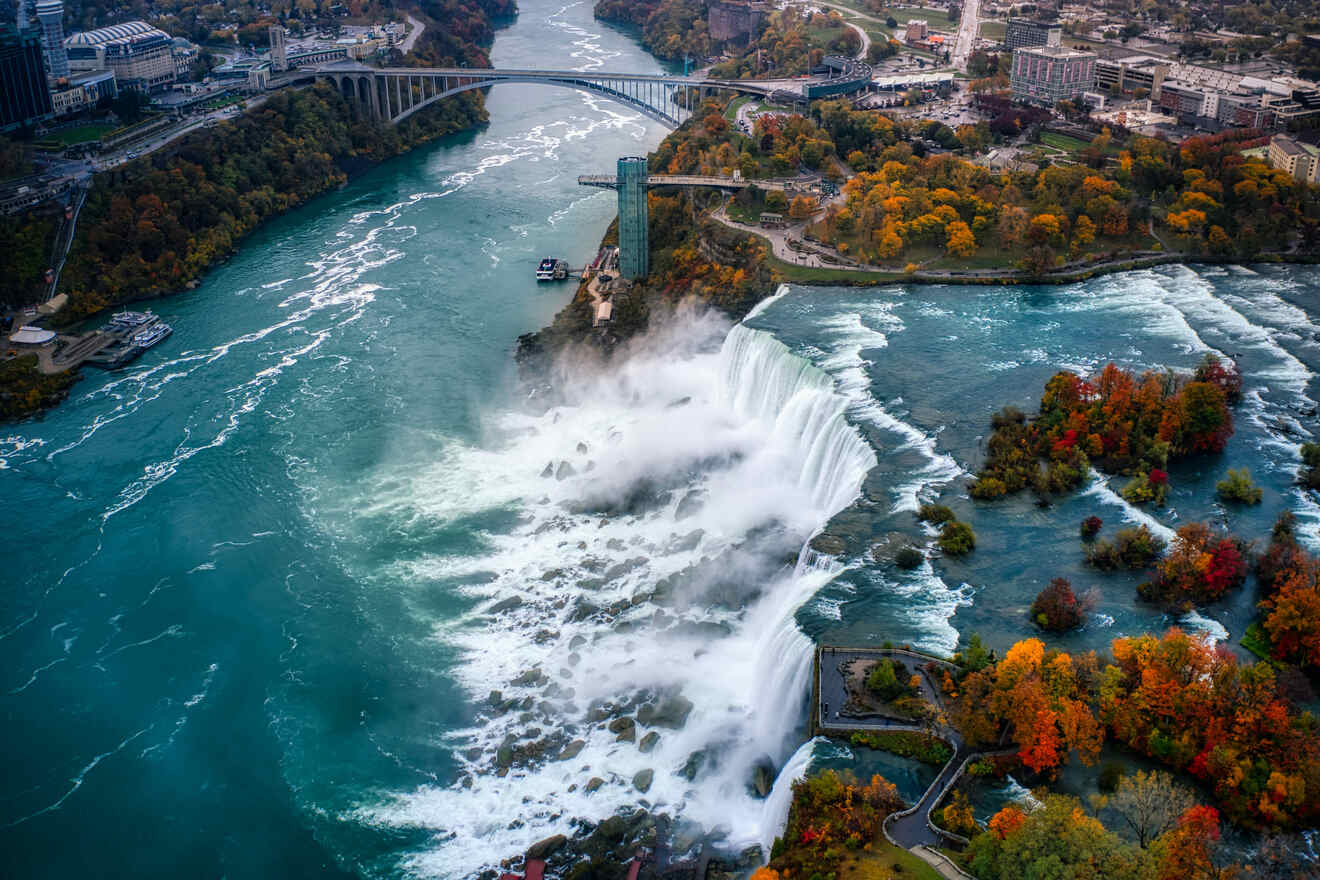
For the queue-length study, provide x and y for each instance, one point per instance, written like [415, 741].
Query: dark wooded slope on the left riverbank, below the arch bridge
[168, 220]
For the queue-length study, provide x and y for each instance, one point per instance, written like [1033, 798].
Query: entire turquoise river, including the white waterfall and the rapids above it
[261, 585]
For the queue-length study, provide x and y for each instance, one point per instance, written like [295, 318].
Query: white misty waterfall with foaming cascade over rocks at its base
[661, 551]
